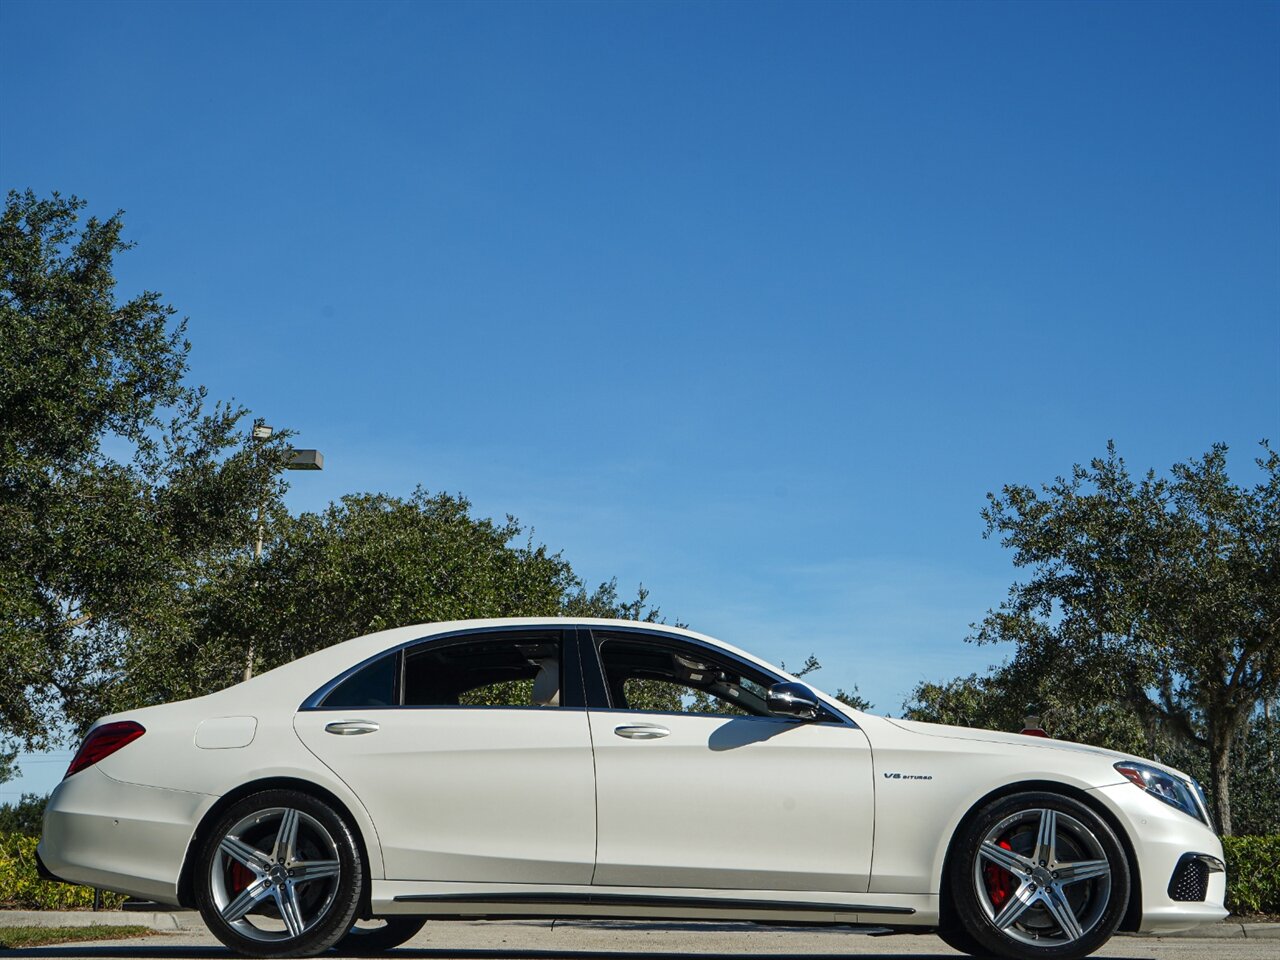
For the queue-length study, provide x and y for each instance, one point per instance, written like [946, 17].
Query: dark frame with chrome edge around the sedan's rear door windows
[573, 697]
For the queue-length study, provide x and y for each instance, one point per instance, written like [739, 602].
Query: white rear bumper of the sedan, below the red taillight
[126, 838]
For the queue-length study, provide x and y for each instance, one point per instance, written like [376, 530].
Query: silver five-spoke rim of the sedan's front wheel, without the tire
[1062, 877]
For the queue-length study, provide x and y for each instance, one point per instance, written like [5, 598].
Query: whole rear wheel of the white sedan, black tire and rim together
[280, 876]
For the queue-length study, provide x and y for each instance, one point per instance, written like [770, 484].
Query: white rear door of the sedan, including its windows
[472, 755]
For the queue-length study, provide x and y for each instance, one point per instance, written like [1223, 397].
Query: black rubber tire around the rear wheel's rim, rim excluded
[341, 913]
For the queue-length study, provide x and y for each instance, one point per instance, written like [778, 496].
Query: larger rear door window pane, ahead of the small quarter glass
[497, 671]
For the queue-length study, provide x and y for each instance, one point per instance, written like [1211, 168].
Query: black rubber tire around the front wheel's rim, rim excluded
[973, 918]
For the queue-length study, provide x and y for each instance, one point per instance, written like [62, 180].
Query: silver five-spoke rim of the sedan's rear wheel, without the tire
[287, 890]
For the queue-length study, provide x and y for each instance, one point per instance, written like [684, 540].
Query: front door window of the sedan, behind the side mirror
[647, 675]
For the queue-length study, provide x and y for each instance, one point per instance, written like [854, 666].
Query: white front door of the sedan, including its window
[700, 787]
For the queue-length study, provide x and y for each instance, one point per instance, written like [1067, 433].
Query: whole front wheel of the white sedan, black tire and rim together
[1037, 876]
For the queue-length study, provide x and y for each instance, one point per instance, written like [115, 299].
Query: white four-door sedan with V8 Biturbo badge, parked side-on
[556, 769]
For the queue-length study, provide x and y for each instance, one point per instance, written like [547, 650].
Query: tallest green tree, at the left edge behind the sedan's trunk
[116, 482]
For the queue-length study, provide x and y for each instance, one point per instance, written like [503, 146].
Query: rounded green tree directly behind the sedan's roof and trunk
[367, 564]
